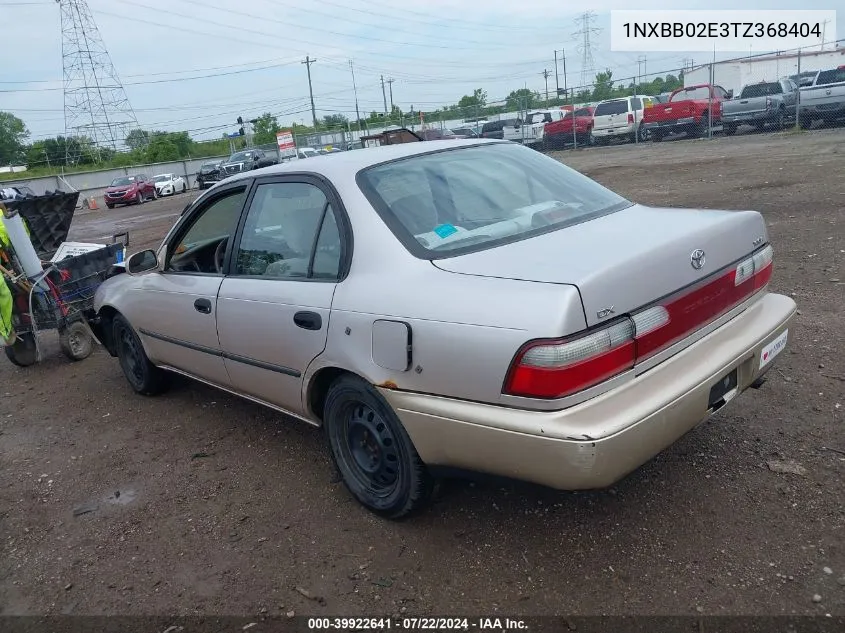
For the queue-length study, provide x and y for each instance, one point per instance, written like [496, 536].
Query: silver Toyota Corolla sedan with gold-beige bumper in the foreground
[469, 304]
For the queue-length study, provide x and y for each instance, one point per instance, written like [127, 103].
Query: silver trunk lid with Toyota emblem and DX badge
[625, 260]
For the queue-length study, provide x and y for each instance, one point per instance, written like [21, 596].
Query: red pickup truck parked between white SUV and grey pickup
[687, 111]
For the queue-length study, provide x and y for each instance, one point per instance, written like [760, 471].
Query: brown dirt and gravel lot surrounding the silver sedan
[197, 502]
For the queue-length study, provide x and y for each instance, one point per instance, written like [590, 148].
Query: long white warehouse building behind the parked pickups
[734, 74]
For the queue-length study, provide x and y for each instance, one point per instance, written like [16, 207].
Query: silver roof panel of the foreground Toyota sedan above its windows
[342, 163]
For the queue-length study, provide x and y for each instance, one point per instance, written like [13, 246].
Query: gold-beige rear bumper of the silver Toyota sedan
[596, 443]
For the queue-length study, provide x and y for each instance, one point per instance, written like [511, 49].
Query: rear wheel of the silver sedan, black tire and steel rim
[372, 451]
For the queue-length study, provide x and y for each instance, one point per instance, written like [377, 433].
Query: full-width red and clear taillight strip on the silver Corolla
[555, 368]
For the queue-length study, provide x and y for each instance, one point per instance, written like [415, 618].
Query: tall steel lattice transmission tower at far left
[96, 106]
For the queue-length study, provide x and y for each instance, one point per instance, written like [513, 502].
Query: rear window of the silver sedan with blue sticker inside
[451, 202]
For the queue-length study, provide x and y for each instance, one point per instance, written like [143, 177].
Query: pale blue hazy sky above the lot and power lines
[198, 64]
